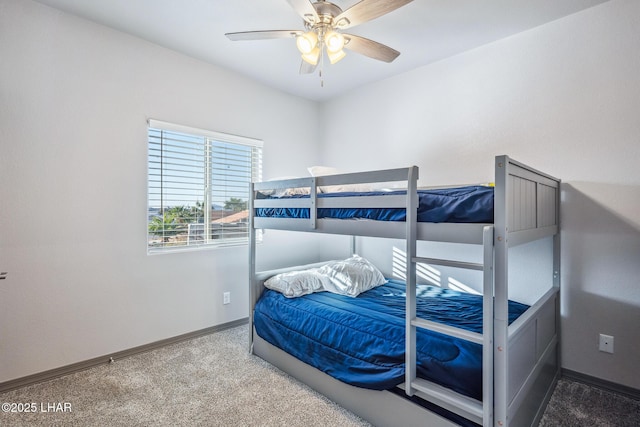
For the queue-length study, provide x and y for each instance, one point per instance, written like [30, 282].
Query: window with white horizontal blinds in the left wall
[198, 187]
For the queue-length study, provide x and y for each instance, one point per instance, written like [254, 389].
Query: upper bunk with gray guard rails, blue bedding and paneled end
[524, 199]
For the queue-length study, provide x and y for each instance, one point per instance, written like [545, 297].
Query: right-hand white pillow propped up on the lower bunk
[351, 276]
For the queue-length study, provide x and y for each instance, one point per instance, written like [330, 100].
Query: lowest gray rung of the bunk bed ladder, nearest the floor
[455, 402]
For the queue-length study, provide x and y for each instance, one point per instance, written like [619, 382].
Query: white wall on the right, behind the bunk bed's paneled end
[563, 98]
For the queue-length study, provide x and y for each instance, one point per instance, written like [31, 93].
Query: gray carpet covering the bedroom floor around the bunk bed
[213, 381]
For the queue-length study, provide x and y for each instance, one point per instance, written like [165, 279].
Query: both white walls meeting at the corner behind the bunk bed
[74, 98]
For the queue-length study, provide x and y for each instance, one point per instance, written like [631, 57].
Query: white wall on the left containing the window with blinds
[74, 99]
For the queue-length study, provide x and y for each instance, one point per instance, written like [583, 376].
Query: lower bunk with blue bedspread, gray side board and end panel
[366, 376]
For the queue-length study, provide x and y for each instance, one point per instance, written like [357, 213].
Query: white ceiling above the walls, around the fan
[423, 31]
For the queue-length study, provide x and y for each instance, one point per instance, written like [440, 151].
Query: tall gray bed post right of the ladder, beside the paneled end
[501, 308]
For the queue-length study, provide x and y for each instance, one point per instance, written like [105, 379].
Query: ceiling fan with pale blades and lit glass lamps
[323, 23]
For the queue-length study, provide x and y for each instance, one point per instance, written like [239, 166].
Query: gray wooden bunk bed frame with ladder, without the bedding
[520, 361]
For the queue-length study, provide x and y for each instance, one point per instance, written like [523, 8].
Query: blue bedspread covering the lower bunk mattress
[360, 341]
